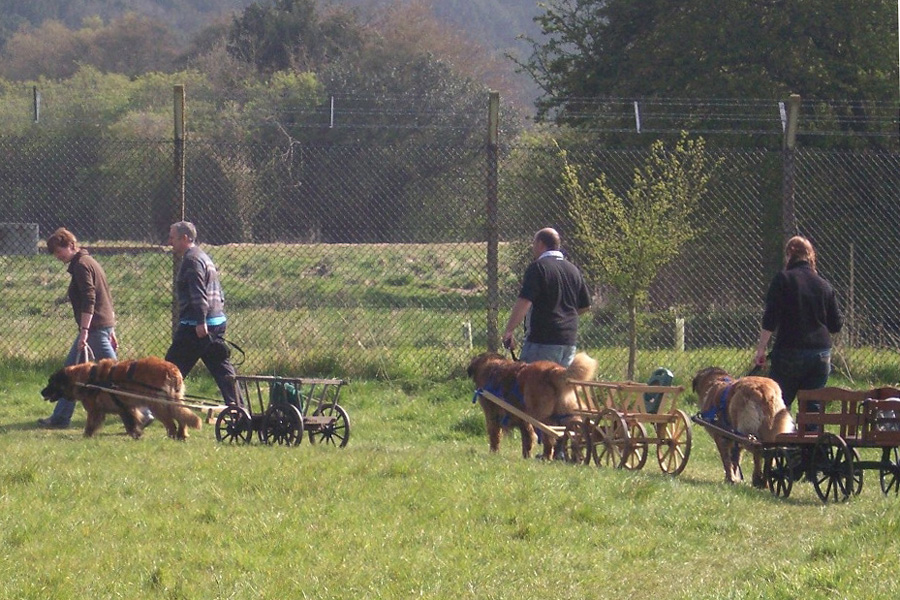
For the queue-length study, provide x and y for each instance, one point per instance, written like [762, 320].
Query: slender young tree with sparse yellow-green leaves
[624, 240]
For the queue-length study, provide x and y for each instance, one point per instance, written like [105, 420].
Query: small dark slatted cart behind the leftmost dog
[288, 407]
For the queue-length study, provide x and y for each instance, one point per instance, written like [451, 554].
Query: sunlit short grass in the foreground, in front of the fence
[414, 506]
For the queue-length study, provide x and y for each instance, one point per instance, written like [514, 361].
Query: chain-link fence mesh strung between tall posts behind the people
[365, 261]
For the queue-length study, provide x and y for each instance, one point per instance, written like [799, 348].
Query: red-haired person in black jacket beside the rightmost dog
[803, 313]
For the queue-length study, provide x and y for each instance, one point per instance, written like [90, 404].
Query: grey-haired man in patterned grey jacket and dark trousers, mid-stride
[200, 334]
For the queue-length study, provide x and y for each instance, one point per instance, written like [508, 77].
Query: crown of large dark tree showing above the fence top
[822, 49]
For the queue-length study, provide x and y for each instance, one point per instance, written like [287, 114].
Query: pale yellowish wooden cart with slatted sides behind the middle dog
[628, 419]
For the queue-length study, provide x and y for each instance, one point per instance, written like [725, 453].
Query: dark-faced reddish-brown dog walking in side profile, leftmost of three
[148, 382]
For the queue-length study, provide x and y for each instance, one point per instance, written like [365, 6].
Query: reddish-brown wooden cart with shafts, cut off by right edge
[833, 425]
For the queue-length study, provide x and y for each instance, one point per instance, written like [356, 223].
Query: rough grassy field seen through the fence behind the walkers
[367, 311]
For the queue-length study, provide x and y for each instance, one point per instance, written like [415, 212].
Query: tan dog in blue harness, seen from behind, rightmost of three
[749, 406]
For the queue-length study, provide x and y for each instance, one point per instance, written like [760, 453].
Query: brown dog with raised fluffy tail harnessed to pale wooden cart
[540, 389]
